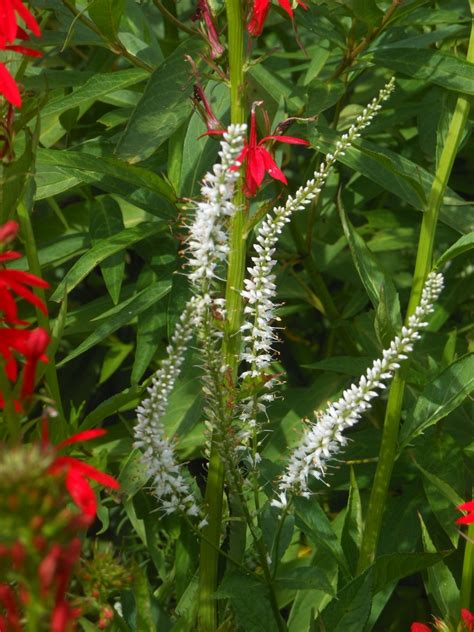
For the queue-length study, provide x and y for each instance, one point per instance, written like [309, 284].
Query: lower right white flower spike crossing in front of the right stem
[324, 438]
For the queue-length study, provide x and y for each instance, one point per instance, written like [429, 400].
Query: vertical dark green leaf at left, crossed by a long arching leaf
[105, 221]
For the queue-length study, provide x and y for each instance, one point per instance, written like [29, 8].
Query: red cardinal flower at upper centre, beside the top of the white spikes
[259, 160]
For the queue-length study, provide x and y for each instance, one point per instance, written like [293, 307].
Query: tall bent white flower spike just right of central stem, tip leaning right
[257, 330]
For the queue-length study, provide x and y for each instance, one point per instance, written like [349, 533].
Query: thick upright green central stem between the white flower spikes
[209, 558]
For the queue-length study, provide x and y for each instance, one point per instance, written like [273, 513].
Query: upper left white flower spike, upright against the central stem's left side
[208, 235]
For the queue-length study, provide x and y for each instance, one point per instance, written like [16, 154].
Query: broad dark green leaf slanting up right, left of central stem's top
[164, 107]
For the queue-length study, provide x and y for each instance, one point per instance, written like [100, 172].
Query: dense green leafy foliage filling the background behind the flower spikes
[109, 150]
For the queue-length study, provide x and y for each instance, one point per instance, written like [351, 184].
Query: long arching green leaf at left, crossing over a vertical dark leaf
[103, 249]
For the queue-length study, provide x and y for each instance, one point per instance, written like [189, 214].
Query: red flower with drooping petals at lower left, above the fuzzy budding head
[77, 474]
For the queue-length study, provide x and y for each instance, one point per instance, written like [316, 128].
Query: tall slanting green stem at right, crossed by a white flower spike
[423, 265]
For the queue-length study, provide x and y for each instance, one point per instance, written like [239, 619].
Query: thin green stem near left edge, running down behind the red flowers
[43, 320]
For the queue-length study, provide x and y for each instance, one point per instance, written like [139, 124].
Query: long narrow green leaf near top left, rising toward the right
[99, 85]
